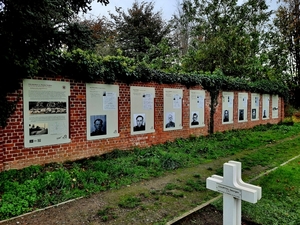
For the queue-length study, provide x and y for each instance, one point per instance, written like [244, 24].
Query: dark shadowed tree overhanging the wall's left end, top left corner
[29, 31]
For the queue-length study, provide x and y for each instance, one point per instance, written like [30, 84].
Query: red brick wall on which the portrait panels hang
[14, 155]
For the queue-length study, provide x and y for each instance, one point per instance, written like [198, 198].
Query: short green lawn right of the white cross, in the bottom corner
[280, 203]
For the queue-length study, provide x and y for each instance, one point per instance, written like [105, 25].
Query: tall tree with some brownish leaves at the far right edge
[286, 44]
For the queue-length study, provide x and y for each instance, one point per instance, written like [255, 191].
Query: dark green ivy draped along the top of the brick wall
[88, 67]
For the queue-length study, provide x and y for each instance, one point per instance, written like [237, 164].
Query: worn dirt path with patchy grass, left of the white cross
[156, 207]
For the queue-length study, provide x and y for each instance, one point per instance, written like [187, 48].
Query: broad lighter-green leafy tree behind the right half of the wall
[227, 36]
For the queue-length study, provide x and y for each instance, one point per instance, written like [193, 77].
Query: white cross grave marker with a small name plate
[234, 190]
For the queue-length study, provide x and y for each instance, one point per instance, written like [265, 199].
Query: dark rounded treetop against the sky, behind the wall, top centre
[133, 28]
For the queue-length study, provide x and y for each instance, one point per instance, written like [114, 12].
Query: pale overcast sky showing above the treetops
[167, 7]
